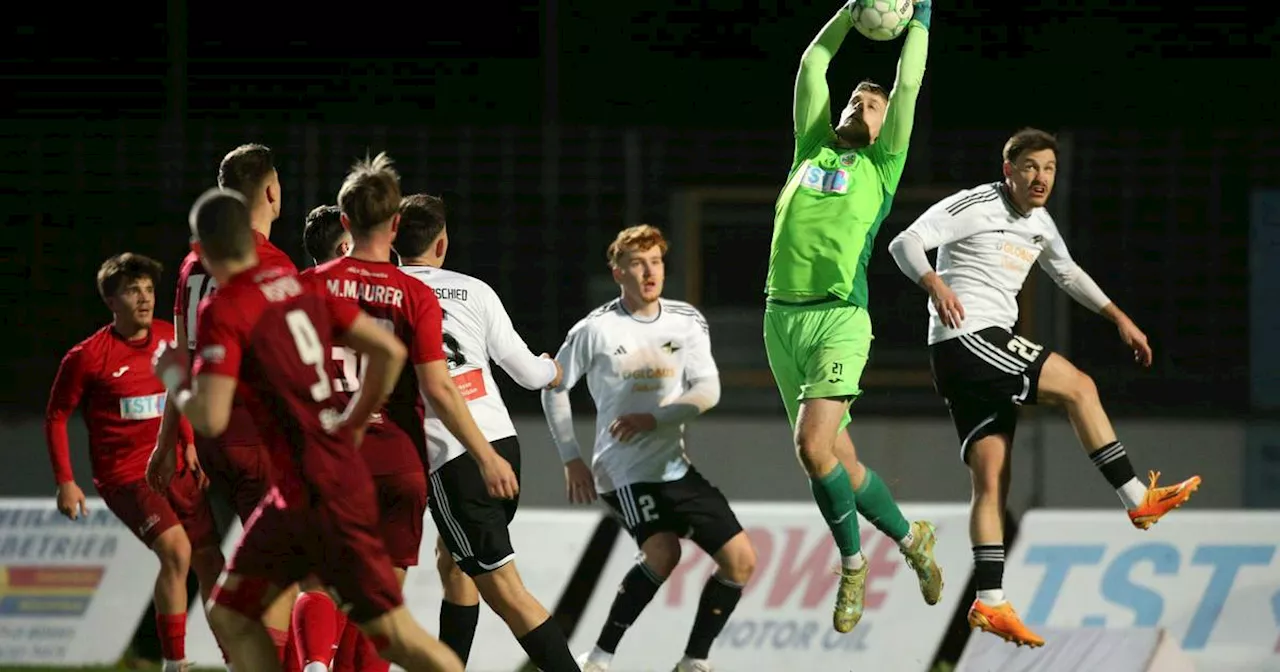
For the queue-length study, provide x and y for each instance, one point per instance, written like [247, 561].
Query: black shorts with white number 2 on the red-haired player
[689, 508]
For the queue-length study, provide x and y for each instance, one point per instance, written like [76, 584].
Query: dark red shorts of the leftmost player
[150, 514]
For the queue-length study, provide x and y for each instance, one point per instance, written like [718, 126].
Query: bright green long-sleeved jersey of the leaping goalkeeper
[829, 213]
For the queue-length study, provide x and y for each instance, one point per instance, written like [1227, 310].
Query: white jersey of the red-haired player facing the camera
[634, 365]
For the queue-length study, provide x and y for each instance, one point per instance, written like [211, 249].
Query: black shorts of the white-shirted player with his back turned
[473, 524]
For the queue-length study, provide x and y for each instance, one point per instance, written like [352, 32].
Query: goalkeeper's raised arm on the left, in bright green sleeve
[812, 99]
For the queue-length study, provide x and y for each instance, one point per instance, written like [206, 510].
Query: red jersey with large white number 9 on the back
[273, 332]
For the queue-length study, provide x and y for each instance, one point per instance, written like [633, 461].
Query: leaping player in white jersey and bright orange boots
[989, 239]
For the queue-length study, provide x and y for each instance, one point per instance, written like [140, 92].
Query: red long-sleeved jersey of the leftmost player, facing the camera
[124, 404]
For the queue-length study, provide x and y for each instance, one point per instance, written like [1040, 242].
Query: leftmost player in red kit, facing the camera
[109, 376]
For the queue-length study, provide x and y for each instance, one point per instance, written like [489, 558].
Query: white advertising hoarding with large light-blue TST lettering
[1210, 578]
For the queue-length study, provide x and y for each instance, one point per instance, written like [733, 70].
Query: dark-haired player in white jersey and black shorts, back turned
[474, 547]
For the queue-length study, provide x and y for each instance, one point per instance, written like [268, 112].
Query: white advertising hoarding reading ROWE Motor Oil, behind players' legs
[784, 620]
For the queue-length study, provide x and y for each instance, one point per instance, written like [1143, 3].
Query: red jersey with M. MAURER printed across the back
[408, 308]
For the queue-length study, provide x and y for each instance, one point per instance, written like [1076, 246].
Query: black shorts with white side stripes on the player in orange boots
[986, 377]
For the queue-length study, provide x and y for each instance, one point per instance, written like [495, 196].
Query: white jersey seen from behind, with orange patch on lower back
[477, 330]
